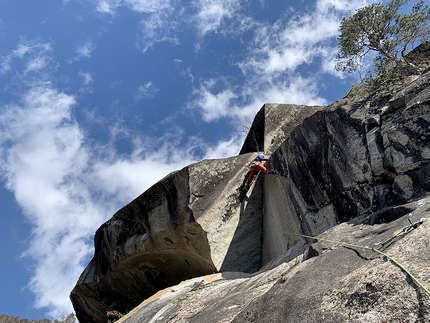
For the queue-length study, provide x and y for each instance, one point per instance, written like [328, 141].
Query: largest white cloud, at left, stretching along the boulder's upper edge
[67, 188]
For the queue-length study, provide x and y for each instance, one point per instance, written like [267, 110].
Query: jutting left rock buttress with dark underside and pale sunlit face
[189, 224]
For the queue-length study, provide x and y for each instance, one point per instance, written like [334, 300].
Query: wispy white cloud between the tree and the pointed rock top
[271, 65]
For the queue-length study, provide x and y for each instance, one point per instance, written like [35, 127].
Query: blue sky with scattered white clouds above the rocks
[99, 99]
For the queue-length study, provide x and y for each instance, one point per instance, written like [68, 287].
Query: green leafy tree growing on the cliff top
[383, 29]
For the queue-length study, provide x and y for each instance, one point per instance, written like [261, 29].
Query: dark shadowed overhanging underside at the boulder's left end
[152, 243]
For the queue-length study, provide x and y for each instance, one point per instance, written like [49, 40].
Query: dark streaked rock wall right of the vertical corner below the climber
[348, 160]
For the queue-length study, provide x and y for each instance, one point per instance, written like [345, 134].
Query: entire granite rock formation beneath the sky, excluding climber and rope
[353, 171]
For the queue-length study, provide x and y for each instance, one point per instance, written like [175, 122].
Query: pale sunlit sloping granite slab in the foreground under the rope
[336, 284]
